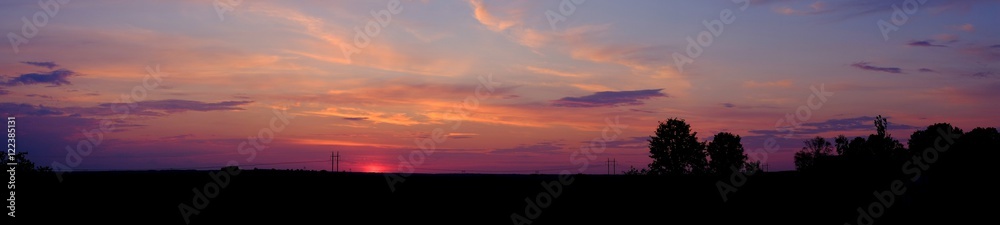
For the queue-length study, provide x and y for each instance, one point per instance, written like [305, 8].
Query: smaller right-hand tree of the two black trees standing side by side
[726, 152]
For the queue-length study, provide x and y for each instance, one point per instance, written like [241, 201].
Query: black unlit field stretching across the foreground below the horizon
[297, 197]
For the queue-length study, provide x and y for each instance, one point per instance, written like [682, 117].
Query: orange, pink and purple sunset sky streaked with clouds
[225, 67]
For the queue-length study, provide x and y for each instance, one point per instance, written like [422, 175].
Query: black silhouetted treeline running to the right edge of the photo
[940, 145]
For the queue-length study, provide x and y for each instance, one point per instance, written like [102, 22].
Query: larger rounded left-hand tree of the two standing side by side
[676, 150]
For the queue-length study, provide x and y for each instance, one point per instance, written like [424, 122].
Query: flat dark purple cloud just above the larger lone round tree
[609, 98]
